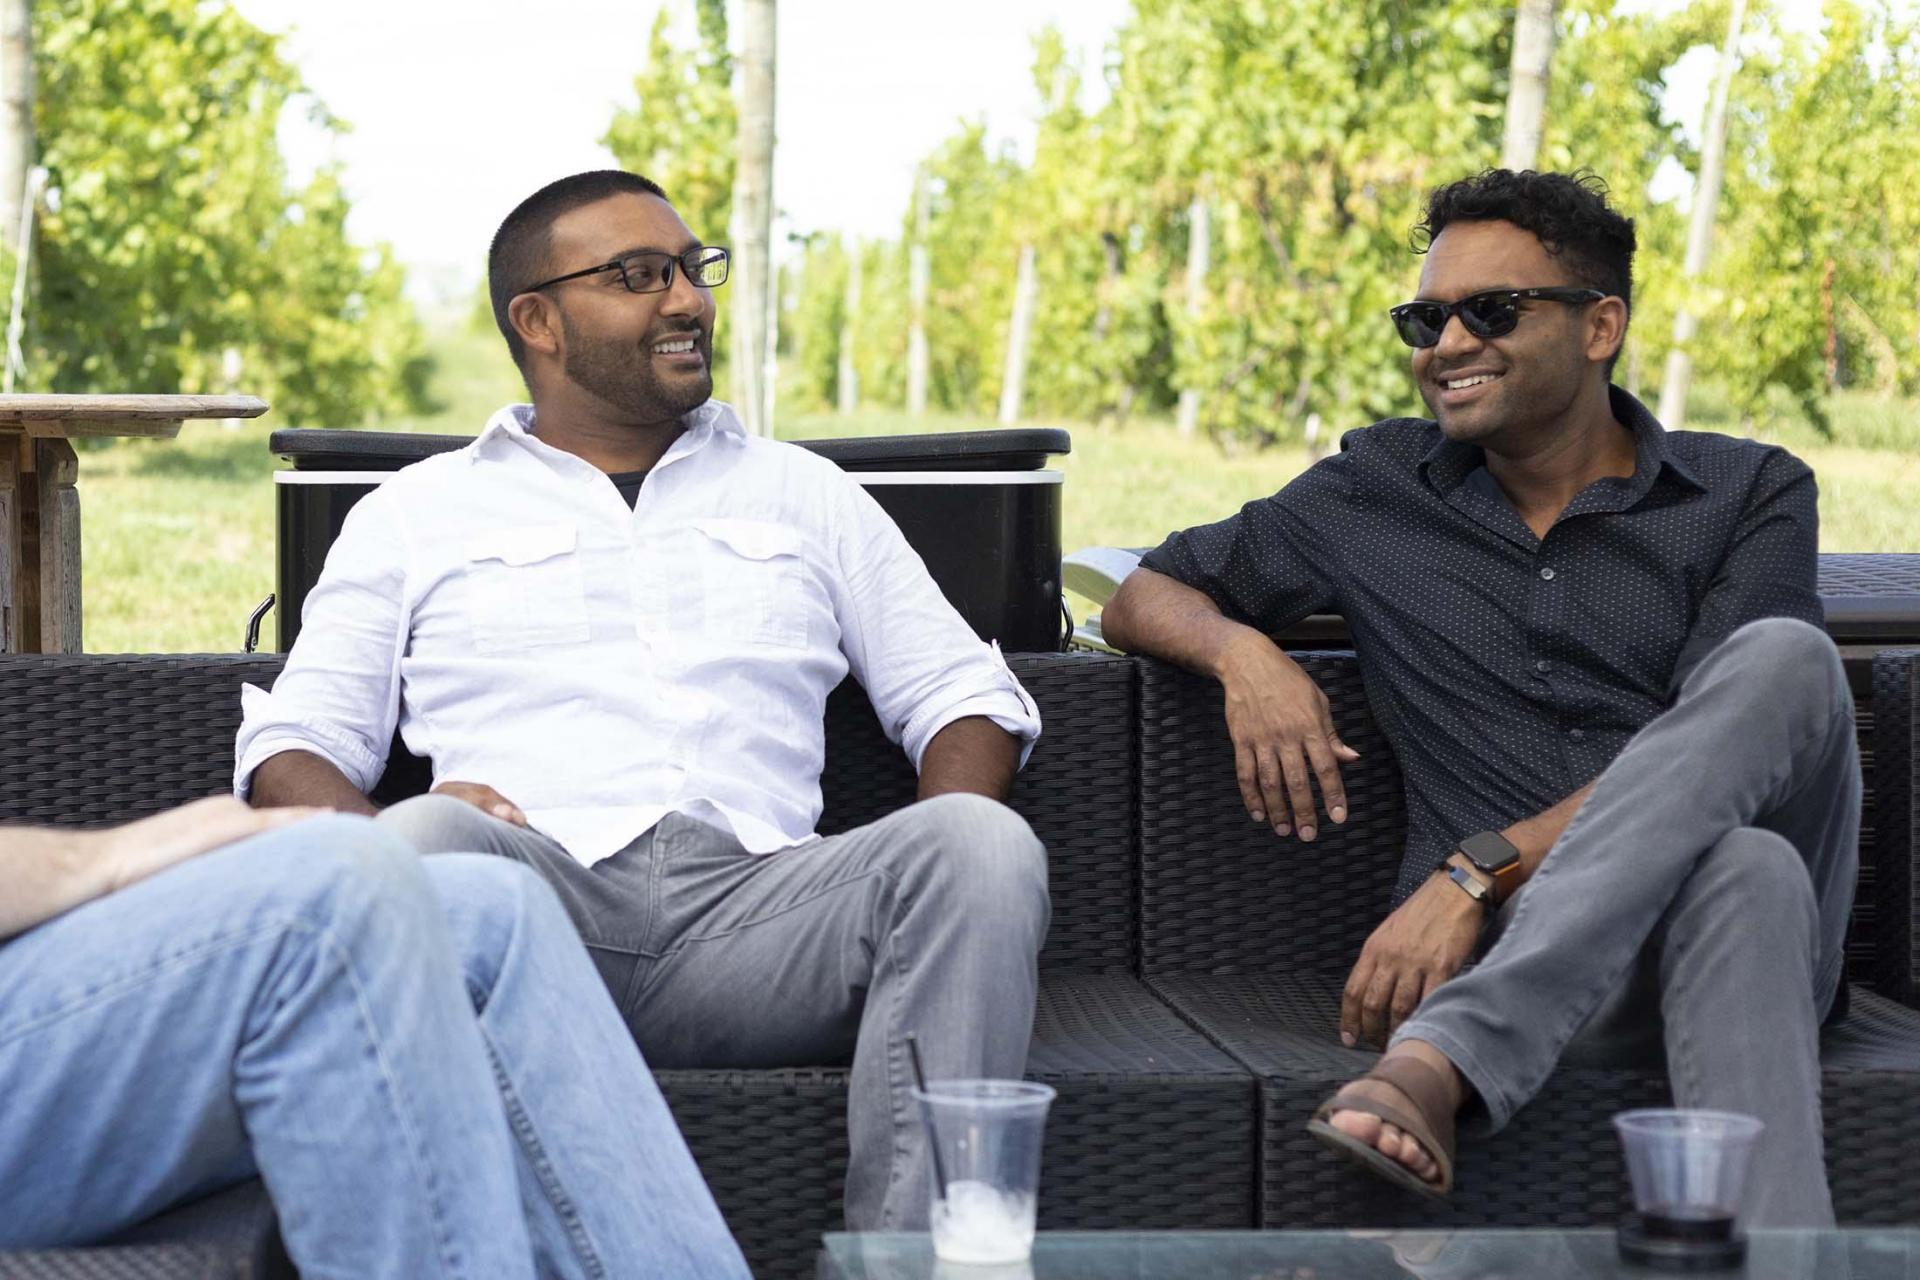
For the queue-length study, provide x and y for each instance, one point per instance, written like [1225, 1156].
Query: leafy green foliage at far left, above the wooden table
[172, 235]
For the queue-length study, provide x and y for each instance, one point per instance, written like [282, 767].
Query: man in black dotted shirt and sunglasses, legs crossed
[1595, 650]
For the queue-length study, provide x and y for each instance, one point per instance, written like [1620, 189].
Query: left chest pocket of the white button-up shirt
[525, 588]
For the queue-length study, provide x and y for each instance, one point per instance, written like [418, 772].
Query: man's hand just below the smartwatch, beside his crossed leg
[1414, 951]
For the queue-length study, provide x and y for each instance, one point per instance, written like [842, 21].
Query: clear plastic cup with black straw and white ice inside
[986, 1143]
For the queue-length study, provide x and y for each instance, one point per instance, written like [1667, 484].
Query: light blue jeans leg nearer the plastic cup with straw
[608, 1183]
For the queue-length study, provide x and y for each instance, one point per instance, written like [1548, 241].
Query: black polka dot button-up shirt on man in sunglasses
[1508, 671]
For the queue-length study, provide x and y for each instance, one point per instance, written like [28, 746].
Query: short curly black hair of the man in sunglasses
[1566, 212]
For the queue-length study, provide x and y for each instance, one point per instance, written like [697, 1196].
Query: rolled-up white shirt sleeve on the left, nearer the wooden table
[339, 696]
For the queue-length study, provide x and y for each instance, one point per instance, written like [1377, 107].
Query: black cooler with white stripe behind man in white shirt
[980, 508]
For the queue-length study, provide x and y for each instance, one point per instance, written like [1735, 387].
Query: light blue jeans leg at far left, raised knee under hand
[289, 1007]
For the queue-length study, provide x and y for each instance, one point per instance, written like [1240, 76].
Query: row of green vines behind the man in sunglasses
[1314, 131]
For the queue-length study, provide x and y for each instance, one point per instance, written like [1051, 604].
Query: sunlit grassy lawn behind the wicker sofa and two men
[180, 536]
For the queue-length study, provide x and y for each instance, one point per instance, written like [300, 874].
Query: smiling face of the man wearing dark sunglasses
[1491, 391]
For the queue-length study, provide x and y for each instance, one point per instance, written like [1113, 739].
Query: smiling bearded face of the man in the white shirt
[646, 356]
